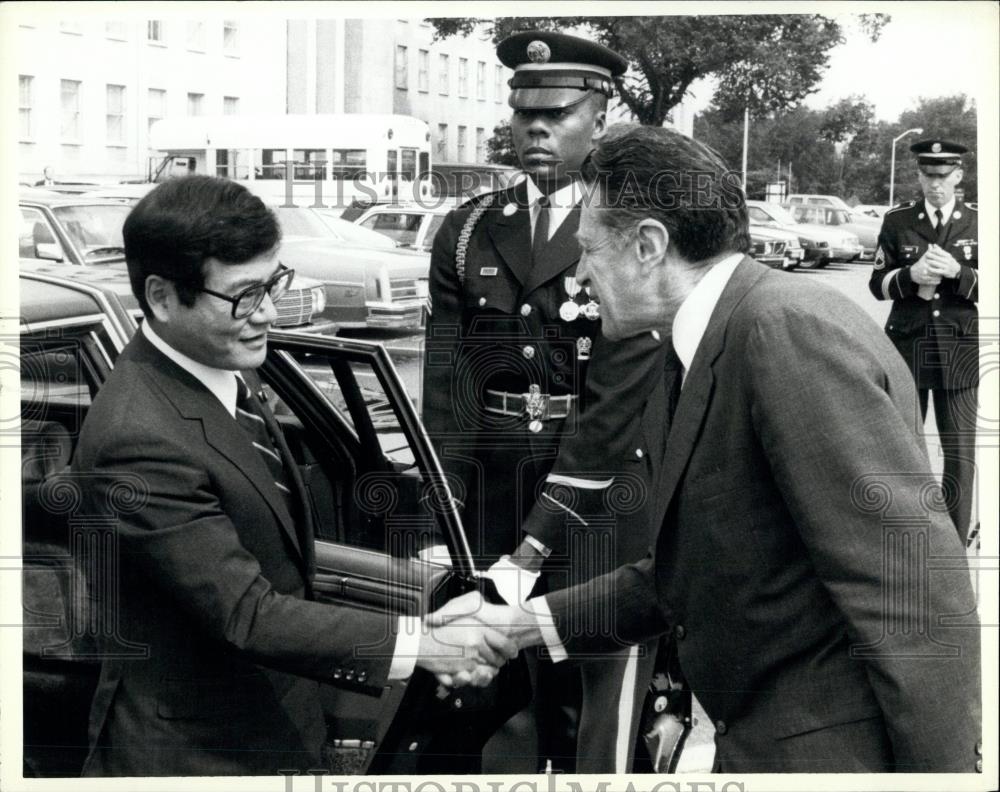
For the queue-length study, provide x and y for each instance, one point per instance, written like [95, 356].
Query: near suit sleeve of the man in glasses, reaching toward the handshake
[181, 543]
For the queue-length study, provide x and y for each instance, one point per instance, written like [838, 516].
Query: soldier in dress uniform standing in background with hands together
[926, 263]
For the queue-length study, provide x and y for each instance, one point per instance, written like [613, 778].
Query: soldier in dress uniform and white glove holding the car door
[537, 419]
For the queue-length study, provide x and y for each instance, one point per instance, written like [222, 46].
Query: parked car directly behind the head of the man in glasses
[85, 233]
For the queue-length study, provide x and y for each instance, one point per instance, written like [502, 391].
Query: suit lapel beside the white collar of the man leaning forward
[699, 382]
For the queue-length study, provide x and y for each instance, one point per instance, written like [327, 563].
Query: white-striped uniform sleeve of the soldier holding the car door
[604, 469]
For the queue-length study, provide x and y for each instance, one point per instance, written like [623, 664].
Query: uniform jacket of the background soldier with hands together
[937, 337]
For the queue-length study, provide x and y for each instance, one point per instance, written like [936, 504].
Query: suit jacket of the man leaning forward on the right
[817, 592]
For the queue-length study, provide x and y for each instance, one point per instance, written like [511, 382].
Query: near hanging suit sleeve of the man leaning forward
[854, 475]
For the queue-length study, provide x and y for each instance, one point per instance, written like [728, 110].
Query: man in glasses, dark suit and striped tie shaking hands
[205, 507]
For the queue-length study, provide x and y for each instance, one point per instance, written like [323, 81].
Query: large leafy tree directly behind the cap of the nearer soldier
[765, 62]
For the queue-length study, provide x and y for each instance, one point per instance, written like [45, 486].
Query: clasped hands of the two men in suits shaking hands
[465, 642]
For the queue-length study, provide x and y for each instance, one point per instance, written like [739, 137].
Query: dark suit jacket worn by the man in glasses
[223, 647]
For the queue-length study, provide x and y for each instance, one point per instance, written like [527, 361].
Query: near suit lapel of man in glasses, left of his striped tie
[194, 402]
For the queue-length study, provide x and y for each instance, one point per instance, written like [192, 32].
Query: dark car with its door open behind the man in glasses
[378, 493]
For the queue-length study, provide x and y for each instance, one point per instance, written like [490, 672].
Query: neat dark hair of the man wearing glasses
[187, 220]
